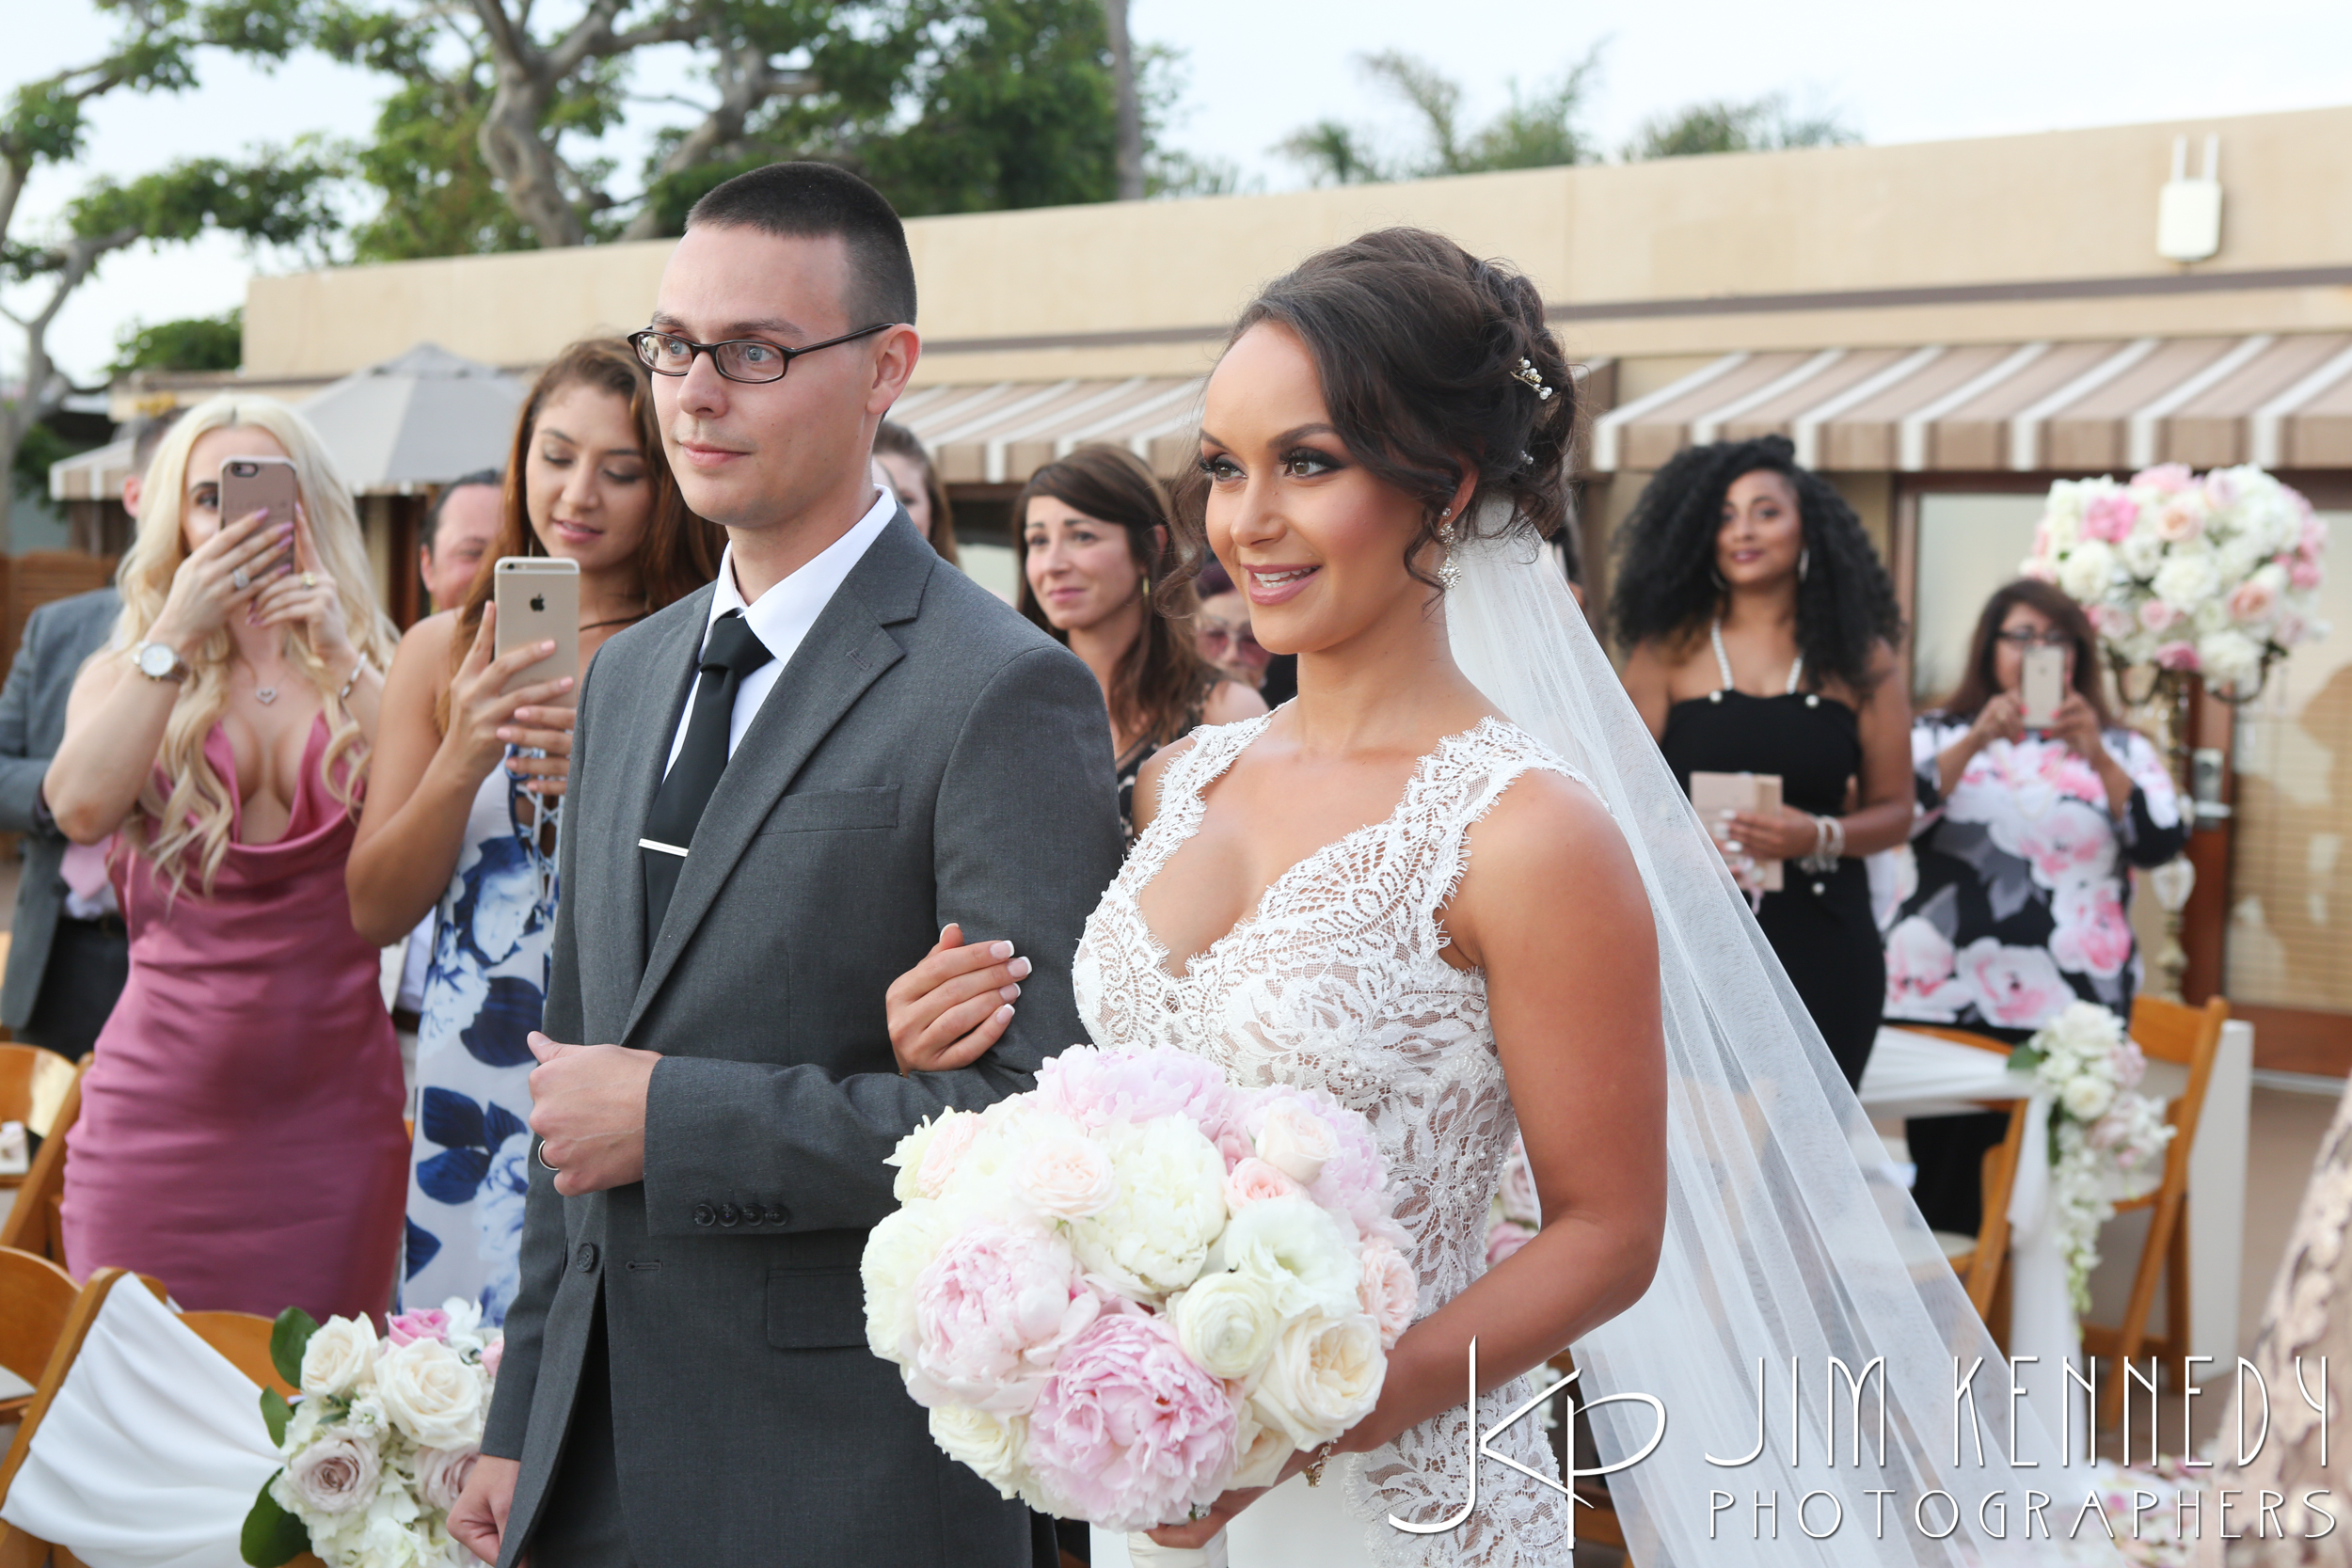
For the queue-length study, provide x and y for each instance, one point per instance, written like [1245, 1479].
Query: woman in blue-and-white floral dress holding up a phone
[469, 775]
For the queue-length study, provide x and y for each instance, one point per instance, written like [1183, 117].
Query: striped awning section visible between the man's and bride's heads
[1005, 431]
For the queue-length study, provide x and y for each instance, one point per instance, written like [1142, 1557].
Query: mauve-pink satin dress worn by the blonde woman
[241, 1120]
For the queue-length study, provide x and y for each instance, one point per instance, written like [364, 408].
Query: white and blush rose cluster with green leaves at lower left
[380, 1445]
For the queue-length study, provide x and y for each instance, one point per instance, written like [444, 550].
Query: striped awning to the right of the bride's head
[2026, 408]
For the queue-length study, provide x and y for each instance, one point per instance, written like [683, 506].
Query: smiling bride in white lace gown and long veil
[1455, 885]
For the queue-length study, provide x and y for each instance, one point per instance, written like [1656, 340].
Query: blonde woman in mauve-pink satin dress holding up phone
[241, 1125]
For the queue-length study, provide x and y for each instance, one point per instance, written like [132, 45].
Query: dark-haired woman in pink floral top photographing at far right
[2026, 840]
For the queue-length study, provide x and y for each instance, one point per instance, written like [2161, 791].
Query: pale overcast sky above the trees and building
[1259, 69]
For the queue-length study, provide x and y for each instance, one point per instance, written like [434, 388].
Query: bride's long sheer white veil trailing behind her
[1786, 1238]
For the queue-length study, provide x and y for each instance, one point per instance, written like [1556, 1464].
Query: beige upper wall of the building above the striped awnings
[2062, 206]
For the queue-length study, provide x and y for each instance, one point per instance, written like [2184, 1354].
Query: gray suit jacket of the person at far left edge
[58, 638]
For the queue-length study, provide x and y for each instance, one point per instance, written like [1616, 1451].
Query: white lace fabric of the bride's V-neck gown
[1337, 984]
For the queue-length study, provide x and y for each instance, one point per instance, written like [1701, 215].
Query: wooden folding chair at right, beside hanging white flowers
[2191, 1038]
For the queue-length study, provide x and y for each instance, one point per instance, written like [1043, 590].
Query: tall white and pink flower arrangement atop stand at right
[2210, 575]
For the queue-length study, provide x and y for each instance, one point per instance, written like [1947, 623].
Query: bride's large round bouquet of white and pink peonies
[1140, 1287]
